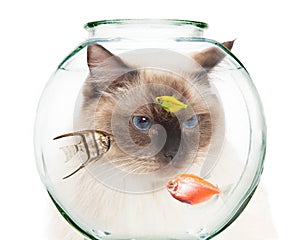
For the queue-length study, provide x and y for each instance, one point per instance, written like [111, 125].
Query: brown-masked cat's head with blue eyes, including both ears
[120, 100]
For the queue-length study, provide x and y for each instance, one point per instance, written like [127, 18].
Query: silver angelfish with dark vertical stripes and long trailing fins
[93, 143]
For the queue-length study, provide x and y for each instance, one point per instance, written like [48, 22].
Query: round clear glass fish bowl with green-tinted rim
[149, 130]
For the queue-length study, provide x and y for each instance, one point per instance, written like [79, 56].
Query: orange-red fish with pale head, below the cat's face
[191, 189]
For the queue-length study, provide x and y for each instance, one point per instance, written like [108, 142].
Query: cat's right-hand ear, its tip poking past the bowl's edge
[210, 57]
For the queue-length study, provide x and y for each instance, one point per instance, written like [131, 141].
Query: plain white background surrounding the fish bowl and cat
[37, 35]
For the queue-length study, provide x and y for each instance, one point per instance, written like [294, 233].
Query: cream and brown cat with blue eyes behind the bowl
[149, 143]
